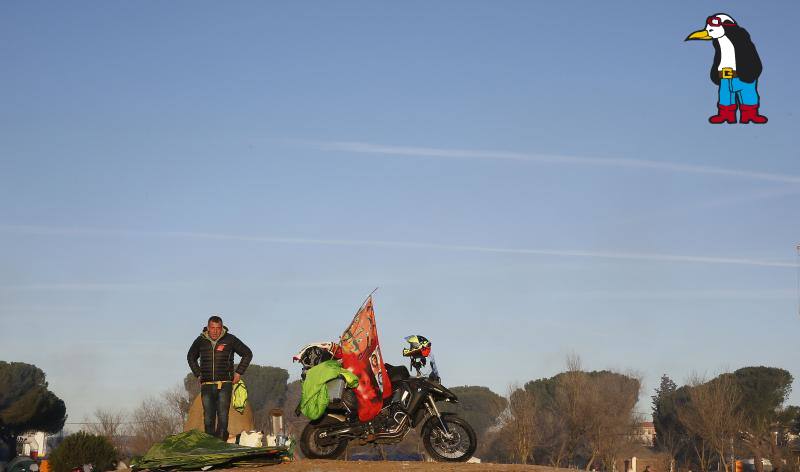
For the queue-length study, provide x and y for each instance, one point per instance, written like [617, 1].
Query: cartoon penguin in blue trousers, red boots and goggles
[736, 69]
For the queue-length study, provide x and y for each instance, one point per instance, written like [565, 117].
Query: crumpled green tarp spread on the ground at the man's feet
[195, 449]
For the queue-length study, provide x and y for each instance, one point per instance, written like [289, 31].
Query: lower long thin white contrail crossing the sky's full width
[653, 257]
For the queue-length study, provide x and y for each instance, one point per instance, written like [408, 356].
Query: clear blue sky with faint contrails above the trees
[523, 180]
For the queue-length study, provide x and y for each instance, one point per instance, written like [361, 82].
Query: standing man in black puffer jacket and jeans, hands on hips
[215, 348]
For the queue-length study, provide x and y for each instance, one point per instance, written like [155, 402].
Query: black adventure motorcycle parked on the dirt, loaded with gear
[413, 405]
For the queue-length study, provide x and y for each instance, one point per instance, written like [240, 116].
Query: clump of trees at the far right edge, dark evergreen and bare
[707, 423]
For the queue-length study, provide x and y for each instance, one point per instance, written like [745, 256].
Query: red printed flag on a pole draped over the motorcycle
[361, 355]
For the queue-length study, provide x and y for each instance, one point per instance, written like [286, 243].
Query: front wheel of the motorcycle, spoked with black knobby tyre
[457, 444]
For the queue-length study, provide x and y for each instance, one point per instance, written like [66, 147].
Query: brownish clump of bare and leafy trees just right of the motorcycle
[574, 419]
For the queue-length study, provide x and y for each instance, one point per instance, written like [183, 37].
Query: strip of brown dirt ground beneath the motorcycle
[306, 465]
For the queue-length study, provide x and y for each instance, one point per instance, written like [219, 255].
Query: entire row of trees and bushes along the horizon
[577, 418]
